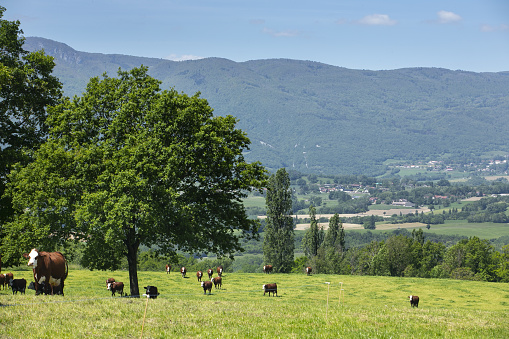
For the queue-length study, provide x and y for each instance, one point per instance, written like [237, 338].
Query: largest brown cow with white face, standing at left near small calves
[49, 267]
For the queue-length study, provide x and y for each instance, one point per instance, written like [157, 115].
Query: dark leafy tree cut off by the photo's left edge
[26, 89]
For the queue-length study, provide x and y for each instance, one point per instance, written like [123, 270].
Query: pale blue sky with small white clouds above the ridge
[373, 34]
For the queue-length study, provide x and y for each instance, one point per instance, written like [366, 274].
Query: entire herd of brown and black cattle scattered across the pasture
[50, 270]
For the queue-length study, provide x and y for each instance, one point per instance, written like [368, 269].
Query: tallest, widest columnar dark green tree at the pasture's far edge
[278, 241]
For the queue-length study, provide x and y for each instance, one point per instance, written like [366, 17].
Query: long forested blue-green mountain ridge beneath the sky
[317, 118]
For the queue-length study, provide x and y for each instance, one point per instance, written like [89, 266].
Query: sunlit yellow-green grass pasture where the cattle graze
[371, 307]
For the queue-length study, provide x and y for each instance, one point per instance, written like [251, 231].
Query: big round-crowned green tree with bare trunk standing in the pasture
[127, 165]
